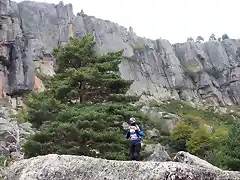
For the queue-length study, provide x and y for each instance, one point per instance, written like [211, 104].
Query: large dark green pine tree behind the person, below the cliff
[84, 106]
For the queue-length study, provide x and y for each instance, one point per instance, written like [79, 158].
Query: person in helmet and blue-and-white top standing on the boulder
[135, 134]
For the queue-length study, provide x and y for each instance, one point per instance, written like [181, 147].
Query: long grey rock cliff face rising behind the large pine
[206, 73]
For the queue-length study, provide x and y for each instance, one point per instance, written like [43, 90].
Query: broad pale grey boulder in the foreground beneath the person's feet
[66, 167]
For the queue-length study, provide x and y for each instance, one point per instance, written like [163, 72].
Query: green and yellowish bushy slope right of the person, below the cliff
[217, 147]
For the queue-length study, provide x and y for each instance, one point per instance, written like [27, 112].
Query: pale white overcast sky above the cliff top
[174, 20]
